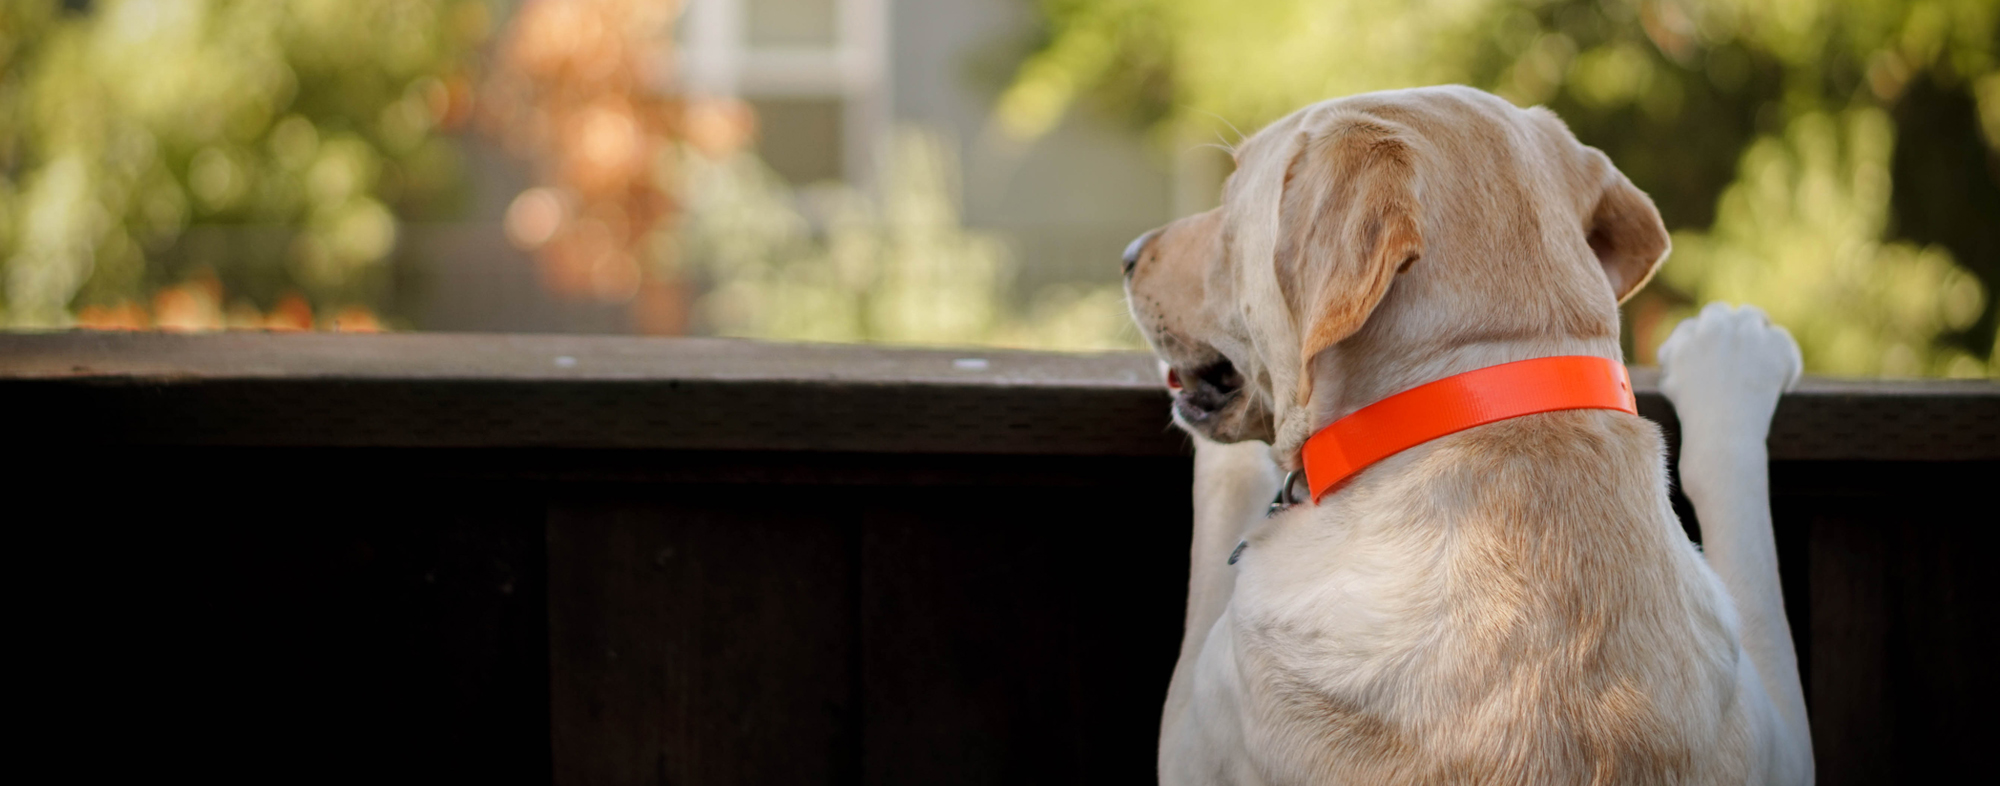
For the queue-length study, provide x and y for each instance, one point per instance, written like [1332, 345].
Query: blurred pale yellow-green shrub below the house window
[835, 265]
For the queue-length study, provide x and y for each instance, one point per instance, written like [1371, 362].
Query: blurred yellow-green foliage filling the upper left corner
[247, 151]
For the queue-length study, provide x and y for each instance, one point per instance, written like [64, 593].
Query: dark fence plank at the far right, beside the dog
[1899, 625]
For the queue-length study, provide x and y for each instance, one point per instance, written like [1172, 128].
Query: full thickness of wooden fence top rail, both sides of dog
[741, 395]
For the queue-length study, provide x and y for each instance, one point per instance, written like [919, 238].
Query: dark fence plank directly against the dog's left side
[1023, 637]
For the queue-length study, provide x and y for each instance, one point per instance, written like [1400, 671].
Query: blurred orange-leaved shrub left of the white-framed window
[573, 95]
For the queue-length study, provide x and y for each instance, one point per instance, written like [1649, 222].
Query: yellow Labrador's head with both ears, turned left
[1375, 229]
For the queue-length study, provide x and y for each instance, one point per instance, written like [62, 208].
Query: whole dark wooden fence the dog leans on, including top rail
[619, 561]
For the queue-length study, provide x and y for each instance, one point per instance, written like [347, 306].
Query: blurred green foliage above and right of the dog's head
[1831, 161]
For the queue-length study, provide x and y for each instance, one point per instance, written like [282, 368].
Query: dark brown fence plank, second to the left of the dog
[703, 637]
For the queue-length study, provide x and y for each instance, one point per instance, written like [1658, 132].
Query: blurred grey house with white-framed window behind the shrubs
[829, 81]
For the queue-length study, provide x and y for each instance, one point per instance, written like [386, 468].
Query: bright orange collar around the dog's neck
[1457, 403]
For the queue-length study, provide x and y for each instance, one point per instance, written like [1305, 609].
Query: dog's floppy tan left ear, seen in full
[1349, 225]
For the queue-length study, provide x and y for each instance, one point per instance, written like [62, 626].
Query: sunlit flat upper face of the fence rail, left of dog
[547, 359]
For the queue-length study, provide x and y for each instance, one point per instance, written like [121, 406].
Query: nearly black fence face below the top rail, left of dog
[609, 619]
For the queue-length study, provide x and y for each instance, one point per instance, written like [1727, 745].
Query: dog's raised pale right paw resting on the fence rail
[1727, 367]
